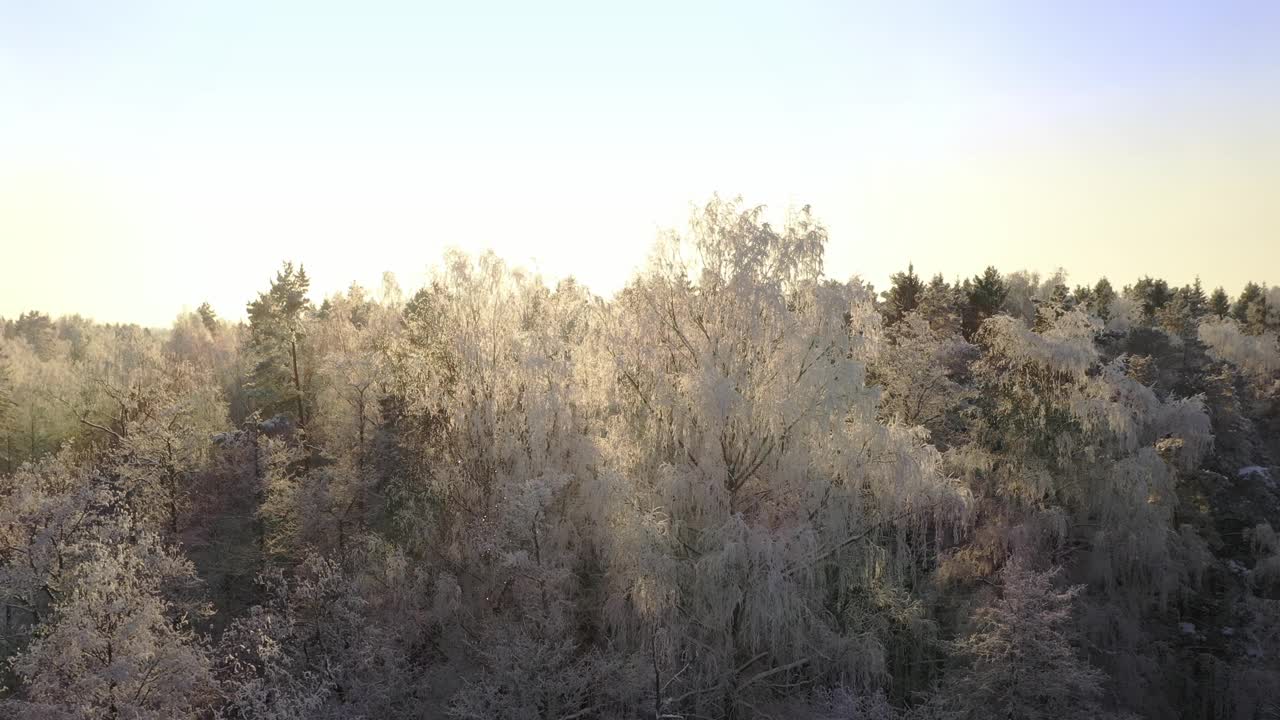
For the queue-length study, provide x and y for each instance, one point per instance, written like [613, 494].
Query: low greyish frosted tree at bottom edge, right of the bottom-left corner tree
[331, 642]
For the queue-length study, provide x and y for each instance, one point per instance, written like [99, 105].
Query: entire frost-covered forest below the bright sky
[738, 489]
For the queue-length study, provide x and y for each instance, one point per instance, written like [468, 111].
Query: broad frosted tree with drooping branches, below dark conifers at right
[1062, 434]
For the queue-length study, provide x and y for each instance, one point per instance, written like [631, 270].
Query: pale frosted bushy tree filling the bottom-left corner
[115, 646]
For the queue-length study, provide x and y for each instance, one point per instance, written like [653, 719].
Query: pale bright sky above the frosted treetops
[158, 154]
